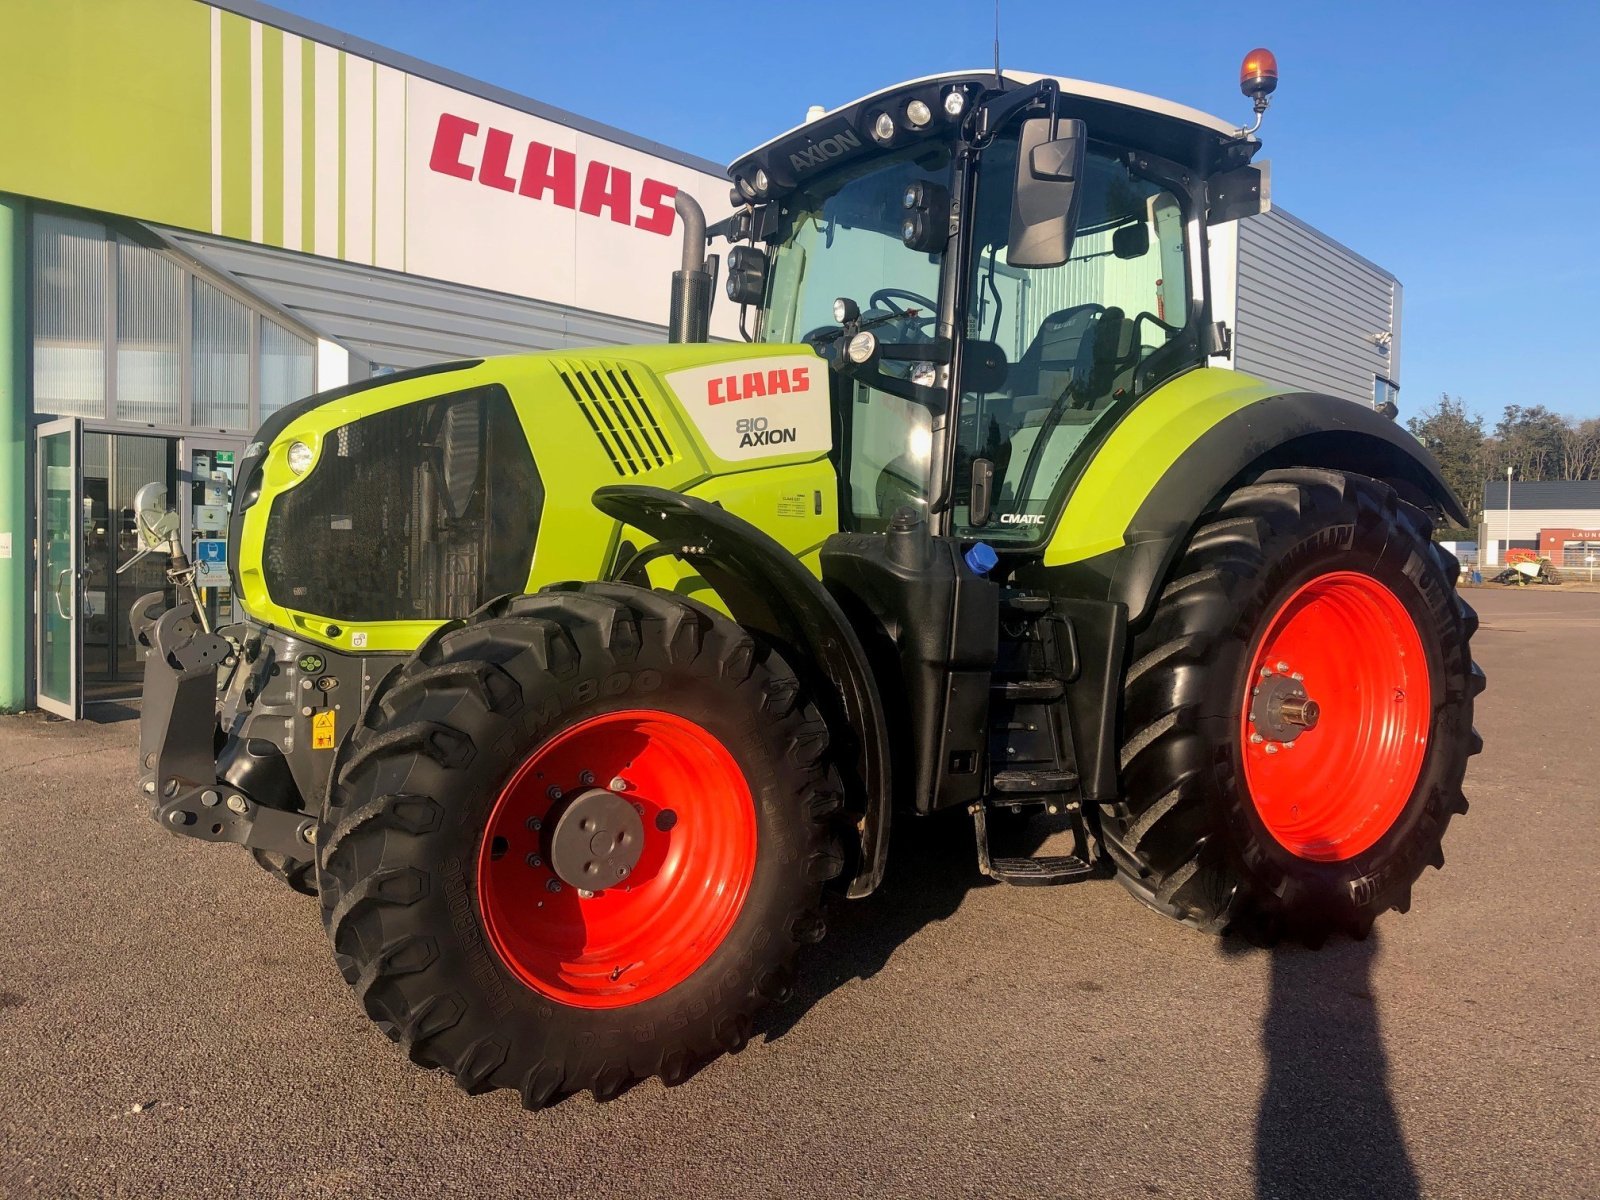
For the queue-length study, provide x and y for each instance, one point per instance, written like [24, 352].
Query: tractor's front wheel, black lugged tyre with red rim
[463, 930]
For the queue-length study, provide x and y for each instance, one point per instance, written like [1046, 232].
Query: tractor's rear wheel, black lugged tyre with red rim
[1246, 812]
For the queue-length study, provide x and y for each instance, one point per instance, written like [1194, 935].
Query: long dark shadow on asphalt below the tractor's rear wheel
[1327, 1124]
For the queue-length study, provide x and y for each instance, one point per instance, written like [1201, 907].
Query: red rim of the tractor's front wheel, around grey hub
[638, 940]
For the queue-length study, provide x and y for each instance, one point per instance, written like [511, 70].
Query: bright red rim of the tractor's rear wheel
[1334, 790]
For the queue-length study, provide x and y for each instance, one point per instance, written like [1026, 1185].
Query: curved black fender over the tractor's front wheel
[766, 588]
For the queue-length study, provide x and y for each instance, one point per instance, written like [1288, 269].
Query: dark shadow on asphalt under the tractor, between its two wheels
[932, 868]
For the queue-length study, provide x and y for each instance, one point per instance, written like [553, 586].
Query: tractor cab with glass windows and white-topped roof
[996, 268]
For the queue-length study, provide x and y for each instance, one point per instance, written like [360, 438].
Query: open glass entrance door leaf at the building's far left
[57, 569]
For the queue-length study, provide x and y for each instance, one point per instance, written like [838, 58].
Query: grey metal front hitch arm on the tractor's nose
[178, 737]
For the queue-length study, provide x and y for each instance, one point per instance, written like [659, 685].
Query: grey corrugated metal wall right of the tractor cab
[1311, 313]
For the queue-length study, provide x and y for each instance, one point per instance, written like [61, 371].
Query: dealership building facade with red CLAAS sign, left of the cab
[209, 210]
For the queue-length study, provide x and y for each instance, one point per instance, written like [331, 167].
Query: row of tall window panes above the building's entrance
[129, 332]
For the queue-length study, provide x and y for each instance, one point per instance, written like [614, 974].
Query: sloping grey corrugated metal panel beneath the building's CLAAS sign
[404, 321]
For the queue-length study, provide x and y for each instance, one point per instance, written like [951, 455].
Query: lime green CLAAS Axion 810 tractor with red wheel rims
[578, 686]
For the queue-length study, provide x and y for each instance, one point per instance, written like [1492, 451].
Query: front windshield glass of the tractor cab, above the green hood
[842, 238]
